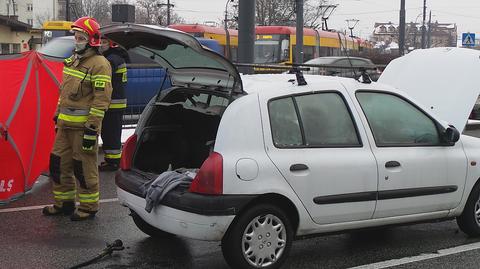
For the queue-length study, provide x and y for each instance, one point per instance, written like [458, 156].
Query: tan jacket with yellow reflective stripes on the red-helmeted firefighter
[85, 92]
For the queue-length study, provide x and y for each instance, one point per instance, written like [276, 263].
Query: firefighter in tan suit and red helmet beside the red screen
[85, 95]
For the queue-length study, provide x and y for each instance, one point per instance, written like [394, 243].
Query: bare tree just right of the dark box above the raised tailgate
[151, 12]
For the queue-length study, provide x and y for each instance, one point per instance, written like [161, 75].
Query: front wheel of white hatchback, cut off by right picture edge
[469, 221]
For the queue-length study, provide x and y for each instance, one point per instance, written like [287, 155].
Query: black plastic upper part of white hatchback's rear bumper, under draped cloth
[180, 199]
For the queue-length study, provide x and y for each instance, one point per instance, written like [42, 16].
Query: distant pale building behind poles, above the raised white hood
[437, 35]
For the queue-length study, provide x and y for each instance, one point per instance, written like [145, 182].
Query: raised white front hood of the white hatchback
[442, 79]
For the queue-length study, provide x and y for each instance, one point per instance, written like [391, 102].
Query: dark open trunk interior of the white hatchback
[177, 136]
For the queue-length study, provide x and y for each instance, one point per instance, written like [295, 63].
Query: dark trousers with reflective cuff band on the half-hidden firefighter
[111, 135]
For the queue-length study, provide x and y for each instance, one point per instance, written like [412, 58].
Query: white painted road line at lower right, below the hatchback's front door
[421, 257]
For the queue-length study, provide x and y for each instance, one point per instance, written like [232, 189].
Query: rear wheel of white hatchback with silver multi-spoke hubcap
[273, 233]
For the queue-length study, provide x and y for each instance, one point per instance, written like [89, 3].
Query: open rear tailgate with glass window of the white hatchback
[188, 63]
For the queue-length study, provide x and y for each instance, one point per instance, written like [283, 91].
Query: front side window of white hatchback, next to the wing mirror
[396, 122]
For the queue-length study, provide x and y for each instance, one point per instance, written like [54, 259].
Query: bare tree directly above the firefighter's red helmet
[101, 10]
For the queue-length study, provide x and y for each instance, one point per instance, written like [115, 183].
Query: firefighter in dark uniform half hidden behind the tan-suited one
[112, 123]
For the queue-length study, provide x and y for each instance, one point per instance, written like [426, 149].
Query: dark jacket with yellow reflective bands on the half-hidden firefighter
[119, 78]
